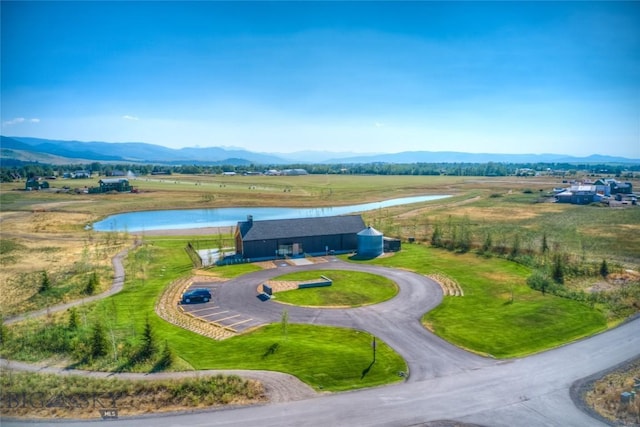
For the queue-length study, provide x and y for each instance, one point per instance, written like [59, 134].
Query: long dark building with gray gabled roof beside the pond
[296, 237]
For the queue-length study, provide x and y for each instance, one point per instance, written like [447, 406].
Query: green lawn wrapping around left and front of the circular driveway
[326, 358]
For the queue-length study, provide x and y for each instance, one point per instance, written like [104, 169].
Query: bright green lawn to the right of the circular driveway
[499, 314]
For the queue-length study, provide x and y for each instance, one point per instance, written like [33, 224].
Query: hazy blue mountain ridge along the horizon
[61, 151]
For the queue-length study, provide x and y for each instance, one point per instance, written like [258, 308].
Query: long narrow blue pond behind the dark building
[224, 217]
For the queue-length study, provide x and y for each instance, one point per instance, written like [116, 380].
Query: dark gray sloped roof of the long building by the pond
[298, 227]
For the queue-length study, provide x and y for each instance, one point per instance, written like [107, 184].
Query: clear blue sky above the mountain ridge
[499, 77]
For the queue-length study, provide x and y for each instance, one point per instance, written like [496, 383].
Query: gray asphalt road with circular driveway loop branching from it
[444, 383]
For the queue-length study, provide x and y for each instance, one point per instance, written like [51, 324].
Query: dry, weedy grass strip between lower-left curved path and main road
[37, 395]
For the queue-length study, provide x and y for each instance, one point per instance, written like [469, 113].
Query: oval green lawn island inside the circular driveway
[349, 289]
